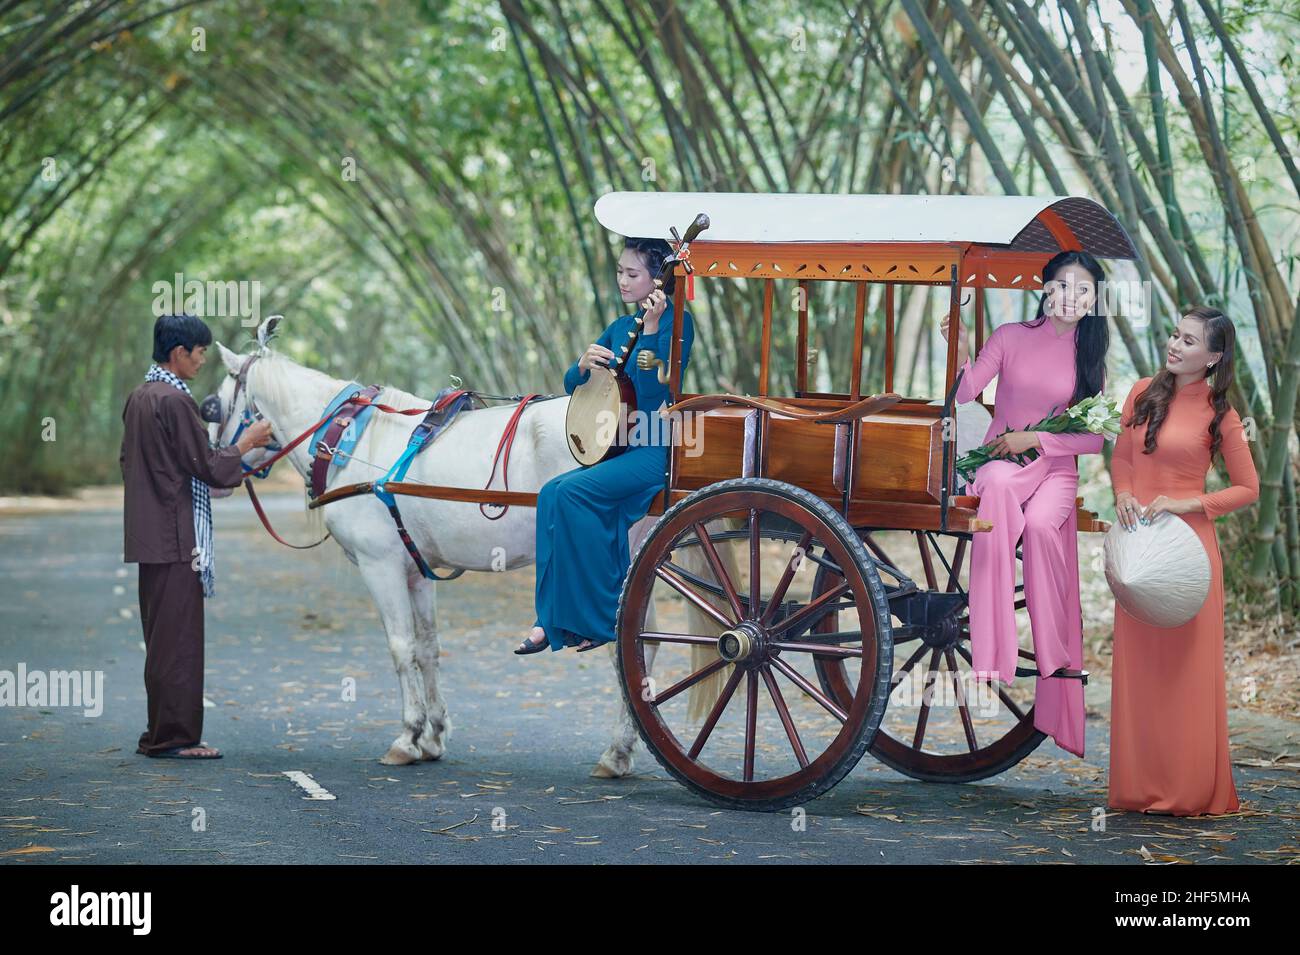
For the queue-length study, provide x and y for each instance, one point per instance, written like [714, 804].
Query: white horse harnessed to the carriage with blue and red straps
[449, 535]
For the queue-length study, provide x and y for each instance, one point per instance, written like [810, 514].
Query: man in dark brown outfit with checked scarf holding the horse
[167, 463]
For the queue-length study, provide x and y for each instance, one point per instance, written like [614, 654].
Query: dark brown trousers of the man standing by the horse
[172, 617]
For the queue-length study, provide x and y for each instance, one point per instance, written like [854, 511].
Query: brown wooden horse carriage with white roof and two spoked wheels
[837, 541]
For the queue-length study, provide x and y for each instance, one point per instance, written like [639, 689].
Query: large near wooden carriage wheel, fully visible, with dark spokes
[807, 743]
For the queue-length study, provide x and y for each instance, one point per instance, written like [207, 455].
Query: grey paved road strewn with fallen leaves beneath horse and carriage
[288, 628]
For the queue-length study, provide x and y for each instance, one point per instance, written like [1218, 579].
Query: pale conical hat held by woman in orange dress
[1160, 572]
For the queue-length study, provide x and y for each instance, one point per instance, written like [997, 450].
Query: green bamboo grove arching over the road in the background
[214, 138]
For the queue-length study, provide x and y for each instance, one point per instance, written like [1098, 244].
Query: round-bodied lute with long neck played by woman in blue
[600, 407]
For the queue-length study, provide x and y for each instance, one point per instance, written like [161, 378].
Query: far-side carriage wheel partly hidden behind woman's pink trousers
[935, 636]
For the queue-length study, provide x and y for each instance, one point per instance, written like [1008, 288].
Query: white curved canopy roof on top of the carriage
[818, 218]
